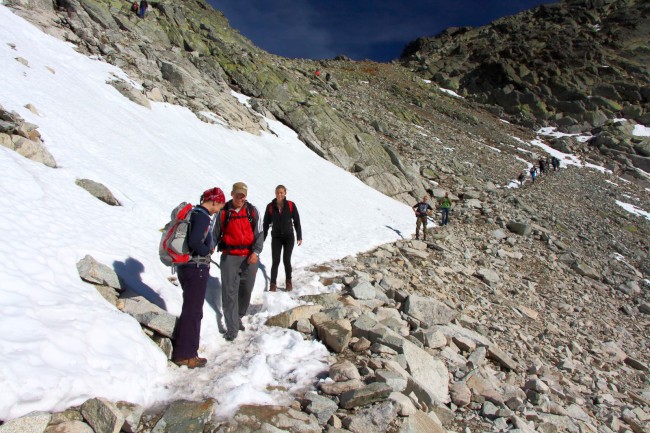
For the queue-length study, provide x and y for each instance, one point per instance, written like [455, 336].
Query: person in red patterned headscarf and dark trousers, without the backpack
[193, 277]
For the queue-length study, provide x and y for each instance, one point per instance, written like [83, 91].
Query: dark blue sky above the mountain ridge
[376, 30]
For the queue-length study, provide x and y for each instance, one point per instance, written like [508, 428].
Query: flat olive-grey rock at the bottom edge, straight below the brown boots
[185, 417]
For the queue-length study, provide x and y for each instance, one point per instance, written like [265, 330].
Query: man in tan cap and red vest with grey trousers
[238, 229]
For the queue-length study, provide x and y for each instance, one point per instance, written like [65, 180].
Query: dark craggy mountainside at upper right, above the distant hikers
[574, 64]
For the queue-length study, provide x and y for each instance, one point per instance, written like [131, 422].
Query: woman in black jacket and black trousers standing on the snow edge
[283, 216]
